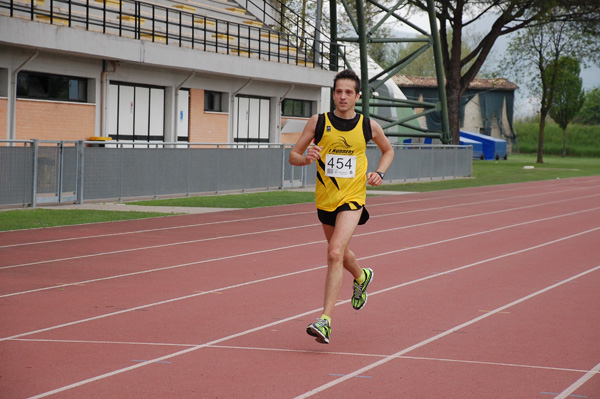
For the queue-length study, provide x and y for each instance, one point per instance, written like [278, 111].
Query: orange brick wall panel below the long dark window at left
[54, 120]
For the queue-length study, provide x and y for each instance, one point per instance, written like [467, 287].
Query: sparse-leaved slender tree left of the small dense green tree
[541, 47]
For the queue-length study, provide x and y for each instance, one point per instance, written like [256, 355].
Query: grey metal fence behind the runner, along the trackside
[34, 172]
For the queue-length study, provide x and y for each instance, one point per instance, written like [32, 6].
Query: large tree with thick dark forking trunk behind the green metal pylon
[511, 16]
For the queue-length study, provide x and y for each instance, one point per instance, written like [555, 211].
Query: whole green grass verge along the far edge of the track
[484, 173]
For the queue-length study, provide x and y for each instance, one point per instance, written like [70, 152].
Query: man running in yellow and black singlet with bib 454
[340, 139]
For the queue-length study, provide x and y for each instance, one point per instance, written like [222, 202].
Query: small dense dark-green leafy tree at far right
[569, 96]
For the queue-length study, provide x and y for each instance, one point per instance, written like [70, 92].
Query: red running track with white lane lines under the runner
[490, 292]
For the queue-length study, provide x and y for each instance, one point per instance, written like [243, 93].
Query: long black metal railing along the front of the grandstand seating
[176, 26]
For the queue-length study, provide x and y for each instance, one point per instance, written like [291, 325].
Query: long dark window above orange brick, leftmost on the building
[51, 87]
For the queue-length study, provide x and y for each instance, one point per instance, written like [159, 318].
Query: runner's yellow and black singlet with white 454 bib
[342, 168]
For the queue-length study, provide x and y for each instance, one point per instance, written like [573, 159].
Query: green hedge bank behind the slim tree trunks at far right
[582, 140]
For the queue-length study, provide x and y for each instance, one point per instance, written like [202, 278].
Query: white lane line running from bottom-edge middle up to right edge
[387, 359]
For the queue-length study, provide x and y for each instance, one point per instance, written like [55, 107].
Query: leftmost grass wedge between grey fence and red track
[36, 218]
